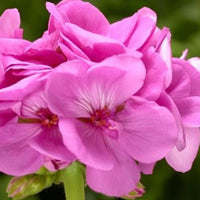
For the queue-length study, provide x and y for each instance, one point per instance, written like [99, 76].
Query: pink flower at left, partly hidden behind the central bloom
[32, 131]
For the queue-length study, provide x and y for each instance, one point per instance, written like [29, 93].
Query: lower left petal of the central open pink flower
[87, 143]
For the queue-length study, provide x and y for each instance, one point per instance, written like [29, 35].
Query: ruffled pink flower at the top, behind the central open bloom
[90, 37]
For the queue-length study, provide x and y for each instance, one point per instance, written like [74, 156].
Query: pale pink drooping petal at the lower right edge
[182, 160]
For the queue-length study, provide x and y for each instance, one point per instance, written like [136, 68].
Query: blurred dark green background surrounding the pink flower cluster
[183, 19]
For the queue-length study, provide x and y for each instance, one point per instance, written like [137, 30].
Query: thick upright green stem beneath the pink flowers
[73, 178]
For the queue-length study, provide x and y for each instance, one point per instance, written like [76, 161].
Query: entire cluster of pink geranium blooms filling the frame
[110, 96]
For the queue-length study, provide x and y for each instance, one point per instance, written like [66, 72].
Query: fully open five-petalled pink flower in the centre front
[104, 125]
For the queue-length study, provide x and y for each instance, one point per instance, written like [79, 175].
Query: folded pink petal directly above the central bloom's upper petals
[96, 47]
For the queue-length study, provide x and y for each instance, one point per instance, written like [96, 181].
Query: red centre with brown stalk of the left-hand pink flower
[44, 117]
